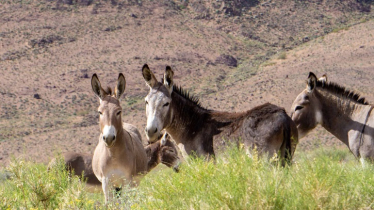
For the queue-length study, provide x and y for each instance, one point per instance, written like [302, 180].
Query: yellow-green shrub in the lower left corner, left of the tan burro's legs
[32, 186]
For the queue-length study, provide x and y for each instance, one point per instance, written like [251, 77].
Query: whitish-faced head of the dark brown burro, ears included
[158, 102]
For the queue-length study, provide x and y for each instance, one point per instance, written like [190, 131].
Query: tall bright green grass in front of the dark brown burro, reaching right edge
[323, 179]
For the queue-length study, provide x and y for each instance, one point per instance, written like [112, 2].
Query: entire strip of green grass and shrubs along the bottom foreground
[319, 179]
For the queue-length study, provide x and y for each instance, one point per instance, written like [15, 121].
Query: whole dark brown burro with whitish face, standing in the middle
[266, 128]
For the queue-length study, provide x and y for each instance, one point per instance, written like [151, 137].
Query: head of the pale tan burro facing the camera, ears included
[109, 109]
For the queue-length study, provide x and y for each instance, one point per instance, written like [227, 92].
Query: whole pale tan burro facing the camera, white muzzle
[119, 155]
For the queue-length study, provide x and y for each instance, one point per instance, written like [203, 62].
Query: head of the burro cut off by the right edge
[306, 109]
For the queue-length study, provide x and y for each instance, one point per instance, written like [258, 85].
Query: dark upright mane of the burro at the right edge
[342, 91]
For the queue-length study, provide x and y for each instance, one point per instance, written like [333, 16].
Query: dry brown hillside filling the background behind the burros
[234, 56]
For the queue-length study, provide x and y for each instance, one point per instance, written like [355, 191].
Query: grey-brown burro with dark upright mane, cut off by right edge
[340, 111]
